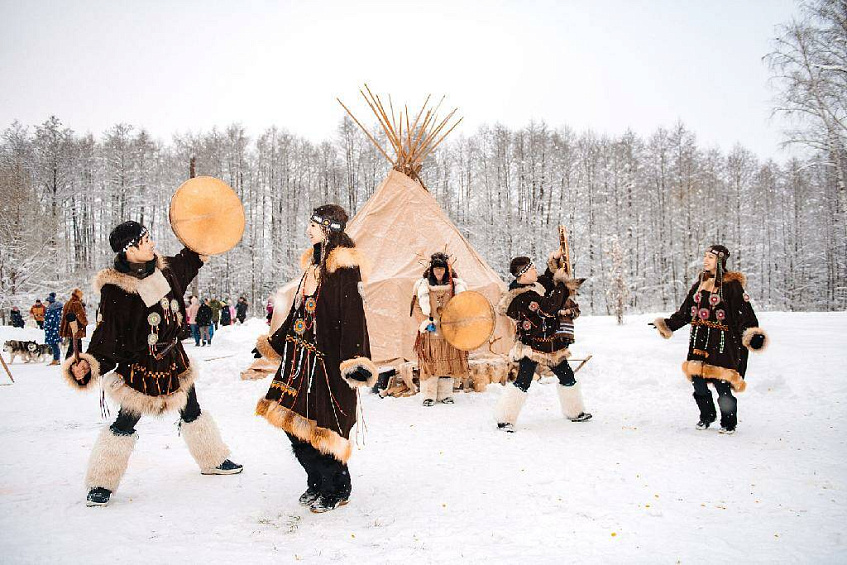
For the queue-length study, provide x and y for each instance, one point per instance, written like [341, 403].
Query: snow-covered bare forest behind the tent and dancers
[657, 199]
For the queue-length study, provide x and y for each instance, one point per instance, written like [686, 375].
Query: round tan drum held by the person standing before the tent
[468, 320]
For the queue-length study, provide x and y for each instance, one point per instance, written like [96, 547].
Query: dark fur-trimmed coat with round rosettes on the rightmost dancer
[723, 324]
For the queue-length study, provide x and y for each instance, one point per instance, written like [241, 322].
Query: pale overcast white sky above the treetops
[177, 66]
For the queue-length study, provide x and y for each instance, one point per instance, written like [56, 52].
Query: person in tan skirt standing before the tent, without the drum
[438, 361]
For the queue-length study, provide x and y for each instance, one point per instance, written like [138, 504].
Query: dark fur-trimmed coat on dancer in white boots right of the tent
[542, 333]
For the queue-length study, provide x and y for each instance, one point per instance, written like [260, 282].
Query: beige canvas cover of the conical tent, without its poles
[400, 226]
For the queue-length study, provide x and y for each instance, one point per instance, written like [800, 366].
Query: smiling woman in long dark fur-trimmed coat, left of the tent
[324, 353]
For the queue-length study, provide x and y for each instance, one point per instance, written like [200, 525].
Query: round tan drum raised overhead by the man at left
[207, 216]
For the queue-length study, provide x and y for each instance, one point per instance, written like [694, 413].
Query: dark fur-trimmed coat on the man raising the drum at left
[127, 341]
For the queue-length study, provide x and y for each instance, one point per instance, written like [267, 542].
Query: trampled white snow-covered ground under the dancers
[431, 485]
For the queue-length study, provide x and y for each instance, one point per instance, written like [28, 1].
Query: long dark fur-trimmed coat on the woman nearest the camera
[320, 346]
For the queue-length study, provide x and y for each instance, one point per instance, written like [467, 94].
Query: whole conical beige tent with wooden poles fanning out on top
[398, 228]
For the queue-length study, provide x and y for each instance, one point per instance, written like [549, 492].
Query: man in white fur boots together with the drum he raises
[136, 349]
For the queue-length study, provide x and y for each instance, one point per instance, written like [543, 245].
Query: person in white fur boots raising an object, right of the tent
[543, 310]
